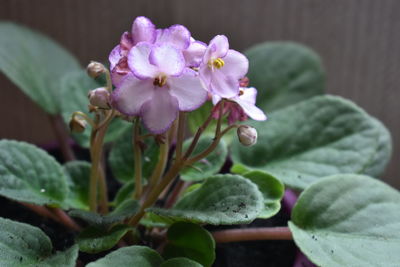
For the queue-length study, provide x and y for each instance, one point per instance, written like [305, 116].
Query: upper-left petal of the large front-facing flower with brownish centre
[138, 61]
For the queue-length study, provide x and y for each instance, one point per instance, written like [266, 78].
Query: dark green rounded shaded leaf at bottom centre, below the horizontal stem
[191, 241]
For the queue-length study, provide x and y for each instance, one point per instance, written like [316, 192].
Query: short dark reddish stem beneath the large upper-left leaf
[62, 137]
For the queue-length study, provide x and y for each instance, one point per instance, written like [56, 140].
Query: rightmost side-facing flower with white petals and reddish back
[240, 106]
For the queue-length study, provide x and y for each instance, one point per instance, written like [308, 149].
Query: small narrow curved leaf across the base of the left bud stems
[125, 210]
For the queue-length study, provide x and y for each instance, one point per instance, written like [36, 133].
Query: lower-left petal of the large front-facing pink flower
[132, 93]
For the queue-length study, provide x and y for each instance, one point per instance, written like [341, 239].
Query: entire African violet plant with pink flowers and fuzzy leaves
[162, 82]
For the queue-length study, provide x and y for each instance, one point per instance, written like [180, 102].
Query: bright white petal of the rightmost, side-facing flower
[247, 103]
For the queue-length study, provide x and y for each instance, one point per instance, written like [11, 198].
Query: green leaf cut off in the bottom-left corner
[24, 245]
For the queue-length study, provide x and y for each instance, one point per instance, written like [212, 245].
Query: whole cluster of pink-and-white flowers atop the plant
[159, 72]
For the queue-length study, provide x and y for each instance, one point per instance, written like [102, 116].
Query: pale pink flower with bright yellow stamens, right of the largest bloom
[222, 68]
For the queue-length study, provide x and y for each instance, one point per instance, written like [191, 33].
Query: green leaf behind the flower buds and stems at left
[74, 90]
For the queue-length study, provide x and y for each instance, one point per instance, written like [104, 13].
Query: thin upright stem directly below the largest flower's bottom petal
[137, 153]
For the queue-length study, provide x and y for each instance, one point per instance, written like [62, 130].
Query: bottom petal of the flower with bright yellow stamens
[224, 86]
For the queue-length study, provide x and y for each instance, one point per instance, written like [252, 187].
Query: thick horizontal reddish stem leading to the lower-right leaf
[250, 234]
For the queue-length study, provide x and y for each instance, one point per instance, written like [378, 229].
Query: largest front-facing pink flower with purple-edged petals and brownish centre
[159, 86]
